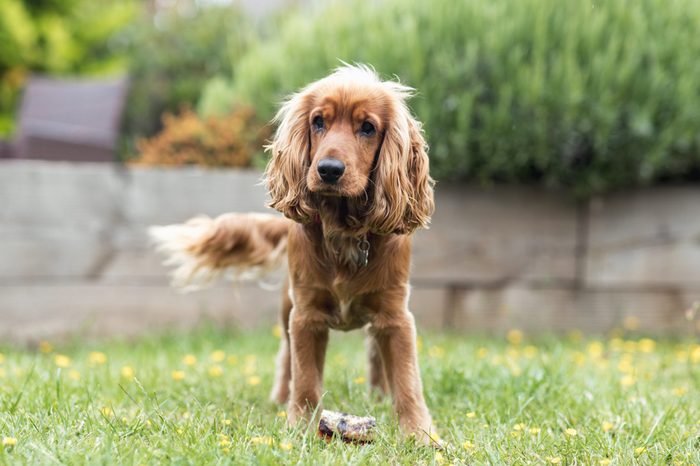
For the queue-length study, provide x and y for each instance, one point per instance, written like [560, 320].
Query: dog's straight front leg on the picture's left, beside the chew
[308, 333]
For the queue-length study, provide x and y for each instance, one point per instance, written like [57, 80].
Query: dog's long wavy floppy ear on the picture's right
[403, 189]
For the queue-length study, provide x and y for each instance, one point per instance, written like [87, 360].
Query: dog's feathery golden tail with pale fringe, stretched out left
[239, 246]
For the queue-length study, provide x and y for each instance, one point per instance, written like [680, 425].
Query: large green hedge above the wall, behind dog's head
[587, 95]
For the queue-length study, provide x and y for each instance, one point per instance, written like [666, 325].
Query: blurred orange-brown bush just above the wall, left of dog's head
[186, 139]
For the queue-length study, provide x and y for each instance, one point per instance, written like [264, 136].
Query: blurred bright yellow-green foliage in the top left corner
[57, 37]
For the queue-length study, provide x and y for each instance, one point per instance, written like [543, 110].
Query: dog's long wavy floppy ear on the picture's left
[285, 174]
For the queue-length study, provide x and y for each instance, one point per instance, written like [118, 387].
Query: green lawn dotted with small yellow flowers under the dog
[202, 398]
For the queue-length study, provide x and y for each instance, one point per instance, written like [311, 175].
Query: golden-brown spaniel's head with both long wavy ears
[351, 135]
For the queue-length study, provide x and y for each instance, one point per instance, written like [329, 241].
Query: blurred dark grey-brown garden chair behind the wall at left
[68, 119]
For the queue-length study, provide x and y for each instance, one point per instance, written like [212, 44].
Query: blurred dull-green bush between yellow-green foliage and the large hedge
[171, 58]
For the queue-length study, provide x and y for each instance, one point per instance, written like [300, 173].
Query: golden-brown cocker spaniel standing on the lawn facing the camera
[349, 171]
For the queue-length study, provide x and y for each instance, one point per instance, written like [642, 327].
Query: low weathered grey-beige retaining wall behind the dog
[74, 255]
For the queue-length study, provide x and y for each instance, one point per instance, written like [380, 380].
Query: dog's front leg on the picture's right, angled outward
[395, 335]
